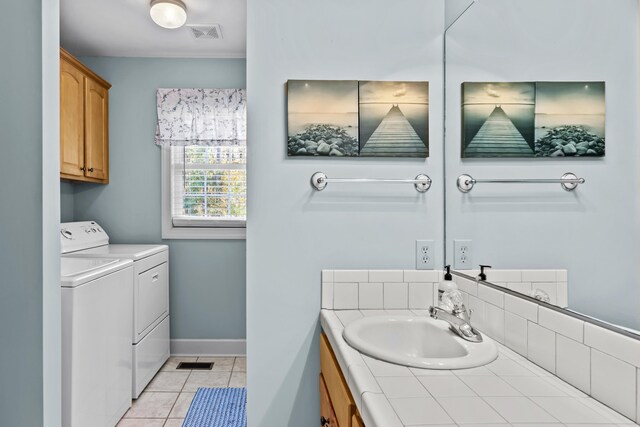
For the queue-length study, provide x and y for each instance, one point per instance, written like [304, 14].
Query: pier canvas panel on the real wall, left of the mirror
[394, 119]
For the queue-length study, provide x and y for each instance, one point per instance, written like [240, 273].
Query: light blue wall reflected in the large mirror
[593, 231]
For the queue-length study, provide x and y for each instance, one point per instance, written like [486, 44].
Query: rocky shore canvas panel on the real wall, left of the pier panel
[322, 118]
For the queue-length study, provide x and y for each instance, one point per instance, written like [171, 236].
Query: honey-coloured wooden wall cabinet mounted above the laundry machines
[84, 122]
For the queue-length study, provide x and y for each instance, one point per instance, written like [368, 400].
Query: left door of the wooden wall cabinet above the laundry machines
[71, 120]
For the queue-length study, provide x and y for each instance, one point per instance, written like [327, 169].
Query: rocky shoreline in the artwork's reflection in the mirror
[574, 141]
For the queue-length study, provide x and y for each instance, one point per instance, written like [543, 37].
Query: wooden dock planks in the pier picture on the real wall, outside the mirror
[394, 137]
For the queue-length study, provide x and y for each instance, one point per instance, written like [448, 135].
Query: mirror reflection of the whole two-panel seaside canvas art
[527, 119]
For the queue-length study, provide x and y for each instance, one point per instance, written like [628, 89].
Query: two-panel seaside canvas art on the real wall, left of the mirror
[351, 118]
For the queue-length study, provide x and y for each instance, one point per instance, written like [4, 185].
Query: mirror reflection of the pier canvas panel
[498, 119]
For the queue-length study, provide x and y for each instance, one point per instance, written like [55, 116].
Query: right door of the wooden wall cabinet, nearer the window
[96, 130]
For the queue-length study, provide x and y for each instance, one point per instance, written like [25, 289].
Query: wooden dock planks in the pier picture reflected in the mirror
[498, 137]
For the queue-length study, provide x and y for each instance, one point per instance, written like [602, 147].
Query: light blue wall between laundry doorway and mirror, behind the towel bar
[294, 232]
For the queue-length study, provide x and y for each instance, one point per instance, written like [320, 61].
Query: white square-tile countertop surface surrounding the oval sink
[510, 391]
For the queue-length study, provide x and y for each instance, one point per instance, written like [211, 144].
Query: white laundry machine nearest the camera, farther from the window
[97, 309]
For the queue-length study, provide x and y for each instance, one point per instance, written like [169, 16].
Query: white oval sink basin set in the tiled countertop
[420, 342]
